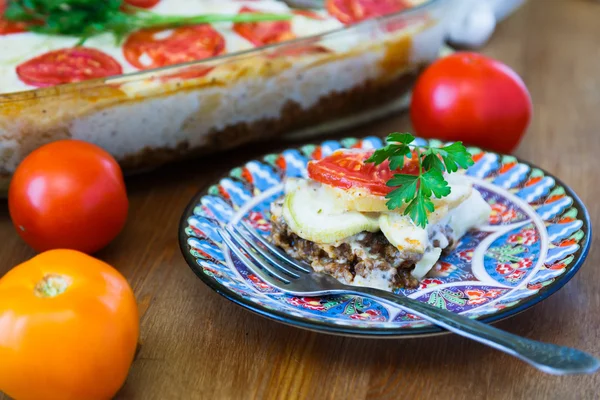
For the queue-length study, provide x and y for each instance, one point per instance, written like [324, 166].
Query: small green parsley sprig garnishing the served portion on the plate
[416, 190]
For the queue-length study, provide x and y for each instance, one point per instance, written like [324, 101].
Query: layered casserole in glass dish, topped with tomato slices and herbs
[226, 73]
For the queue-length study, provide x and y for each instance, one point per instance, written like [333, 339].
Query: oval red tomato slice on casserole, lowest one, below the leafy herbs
[68, 65]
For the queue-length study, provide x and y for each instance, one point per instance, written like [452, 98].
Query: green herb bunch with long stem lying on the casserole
[87, 18]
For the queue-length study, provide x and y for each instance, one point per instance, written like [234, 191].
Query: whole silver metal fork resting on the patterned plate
[298, 278]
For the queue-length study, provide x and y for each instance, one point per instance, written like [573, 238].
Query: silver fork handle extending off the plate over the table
[550, 358]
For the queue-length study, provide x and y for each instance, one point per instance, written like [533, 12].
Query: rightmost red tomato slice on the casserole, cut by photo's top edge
[351, 11]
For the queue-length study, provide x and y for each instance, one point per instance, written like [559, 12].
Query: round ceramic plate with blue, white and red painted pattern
[537, 237]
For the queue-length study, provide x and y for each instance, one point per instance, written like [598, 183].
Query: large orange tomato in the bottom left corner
[68, 328]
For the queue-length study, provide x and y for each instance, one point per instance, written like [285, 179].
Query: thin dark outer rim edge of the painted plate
[385, 332]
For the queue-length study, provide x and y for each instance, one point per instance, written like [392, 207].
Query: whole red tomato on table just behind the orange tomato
[68, 194]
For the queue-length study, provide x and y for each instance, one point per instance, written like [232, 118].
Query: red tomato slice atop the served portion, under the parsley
[347, 169]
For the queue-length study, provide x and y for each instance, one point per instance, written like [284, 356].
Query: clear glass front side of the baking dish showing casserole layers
[148, 118]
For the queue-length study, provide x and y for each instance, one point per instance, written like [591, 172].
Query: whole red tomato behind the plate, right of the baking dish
[472, 98]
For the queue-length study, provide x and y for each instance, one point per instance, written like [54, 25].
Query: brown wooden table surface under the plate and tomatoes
[197, 345]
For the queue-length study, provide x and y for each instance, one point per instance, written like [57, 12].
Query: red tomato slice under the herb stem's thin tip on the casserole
[263, 33]
